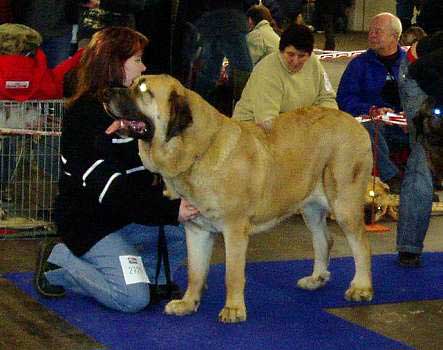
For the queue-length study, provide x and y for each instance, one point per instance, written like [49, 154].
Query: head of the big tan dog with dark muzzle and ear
[155, 106]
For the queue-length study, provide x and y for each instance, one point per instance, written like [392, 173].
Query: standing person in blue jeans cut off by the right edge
[420, 84]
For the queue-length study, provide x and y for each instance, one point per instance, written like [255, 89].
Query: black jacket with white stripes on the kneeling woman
[103, 186]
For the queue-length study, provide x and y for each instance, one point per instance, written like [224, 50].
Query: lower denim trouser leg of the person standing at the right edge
[415, 202]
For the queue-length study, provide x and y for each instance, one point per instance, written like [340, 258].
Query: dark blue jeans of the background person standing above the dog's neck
[214, 49]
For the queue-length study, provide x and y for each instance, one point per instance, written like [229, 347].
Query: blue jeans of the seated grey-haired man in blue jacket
[388, 137]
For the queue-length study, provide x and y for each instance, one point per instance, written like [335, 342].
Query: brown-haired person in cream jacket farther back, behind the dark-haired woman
[262, 38]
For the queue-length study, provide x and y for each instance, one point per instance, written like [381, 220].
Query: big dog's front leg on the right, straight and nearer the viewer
[236, 239]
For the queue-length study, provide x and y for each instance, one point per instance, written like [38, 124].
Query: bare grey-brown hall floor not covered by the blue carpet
[24, 324]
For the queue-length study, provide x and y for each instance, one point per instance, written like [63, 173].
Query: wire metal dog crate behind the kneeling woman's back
[29, 163]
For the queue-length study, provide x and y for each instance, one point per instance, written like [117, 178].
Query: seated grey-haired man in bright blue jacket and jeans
[370, 80]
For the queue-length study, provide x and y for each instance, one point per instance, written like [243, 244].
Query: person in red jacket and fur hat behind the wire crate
[25, 76]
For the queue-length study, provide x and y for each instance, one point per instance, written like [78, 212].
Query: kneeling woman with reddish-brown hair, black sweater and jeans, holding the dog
[110, 207]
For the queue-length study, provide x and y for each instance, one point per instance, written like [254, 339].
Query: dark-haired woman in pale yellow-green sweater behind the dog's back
[286, 80]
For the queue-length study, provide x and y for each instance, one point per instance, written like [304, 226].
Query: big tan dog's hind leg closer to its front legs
[314, 215]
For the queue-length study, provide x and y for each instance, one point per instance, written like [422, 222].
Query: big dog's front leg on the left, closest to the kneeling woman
[199, 244]
